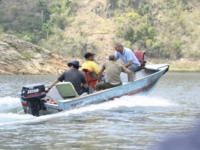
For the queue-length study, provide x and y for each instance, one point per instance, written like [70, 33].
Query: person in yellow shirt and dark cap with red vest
[91, 70]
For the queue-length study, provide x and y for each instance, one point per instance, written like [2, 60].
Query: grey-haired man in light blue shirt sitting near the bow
[128, 57]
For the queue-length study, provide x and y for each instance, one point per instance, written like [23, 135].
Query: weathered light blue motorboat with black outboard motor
[63, 97]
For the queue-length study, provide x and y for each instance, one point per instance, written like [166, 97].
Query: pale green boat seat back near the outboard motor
[66, 90]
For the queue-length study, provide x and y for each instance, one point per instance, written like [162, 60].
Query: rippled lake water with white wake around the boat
[127, 123]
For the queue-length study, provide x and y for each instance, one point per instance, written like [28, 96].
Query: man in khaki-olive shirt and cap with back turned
[113, 70]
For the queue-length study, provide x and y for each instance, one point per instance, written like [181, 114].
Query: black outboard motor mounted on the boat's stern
[33, 94]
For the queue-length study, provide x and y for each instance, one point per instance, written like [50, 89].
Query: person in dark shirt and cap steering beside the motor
[75, 76]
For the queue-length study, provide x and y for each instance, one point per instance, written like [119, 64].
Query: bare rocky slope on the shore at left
[20, 57]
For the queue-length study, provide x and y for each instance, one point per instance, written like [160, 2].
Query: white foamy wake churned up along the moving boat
[12, 113]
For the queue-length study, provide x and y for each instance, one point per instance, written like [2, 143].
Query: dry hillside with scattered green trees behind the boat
[163, 28]
